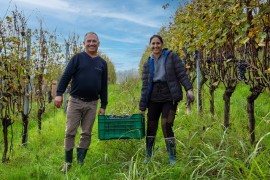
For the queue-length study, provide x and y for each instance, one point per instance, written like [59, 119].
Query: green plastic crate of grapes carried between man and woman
[121, 127]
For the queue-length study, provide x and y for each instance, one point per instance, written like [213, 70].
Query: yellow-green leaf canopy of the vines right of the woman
[222, 28]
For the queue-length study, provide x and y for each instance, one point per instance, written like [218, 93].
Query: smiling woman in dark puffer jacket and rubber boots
[163, 76]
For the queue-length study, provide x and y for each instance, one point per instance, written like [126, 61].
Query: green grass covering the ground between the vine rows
[204, 149]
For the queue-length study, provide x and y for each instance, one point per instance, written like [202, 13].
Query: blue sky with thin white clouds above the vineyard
[124, 26]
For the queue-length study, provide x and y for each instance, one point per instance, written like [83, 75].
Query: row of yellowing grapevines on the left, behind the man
[29, 56]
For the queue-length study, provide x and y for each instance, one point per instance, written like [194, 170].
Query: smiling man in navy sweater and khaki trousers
[89, 75]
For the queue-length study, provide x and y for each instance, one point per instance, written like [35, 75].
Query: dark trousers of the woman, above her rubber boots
[167, 110]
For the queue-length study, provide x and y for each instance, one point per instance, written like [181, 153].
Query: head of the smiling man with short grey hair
[91, 43]
